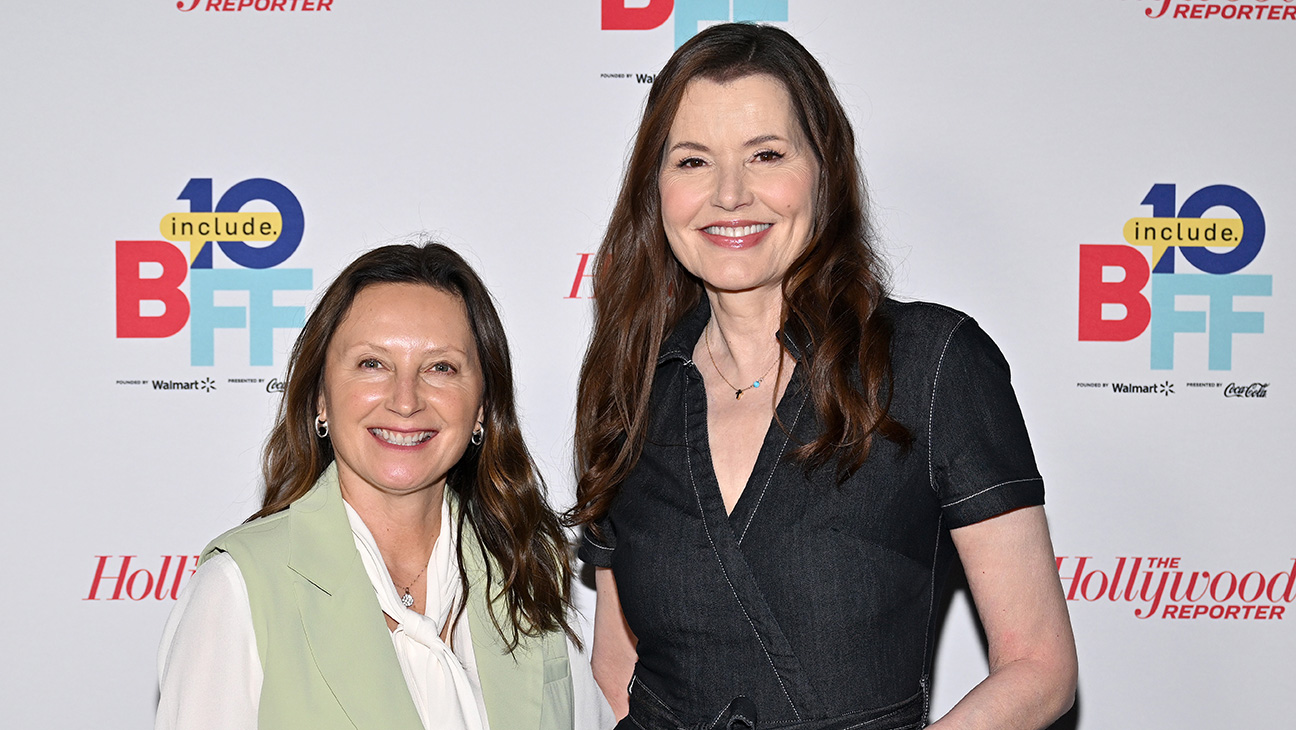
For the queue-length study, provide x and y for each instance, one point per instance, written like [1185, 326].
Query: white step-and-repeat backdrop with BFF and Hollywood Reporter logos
[1106, 186]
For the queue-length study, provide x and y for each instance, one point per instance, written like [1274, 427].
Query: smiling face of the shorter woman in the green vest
[402, 388]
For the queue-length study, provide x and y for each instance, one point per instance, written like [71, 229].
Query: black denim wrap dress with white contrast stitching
[812, 606]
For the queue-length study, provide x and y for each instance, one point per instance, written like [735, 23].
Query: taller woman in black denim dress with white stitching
[778, 464]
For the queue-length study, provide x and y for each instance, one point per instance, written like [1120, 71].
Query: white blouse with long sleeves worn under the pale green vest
[211, 674]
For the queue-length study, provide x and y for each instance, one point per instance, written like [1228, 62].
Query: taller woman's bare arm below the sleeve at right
[1014, 578]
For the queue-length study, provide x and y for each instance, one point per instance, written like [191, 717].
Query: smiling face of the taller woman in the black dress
[738, 183]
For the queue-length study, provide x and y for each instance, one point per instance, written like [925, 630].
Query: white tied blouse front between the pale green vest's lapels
[441, 688]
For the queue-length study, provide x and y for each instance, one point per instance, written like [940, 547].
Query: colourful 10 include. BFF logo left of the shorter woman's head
[150, 274]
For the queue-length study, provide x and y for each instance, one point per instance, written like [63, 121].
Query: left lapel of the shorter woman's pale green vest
[344, 624]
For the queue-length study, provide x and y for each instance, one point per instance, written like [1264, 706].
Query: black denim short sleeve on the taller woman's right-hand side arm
[980, 458]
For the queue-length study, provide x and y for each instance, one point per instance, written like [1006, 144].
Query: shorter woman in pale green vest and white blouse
[405, 570]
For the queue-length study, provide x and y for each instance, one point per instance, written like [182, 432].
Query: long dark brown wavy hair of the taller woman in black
[831, 292]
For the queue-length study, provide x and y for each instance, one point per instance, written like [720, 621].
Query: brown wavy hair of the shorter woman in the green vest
[501, 493]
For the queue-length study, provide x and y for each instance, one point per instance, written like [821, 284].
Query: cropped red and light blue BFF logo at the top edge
[631, 15]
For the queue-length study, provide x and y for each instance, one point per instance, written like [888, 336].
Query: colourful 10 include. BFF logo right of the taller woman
[1113, 278]
